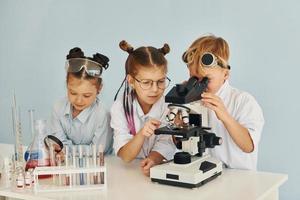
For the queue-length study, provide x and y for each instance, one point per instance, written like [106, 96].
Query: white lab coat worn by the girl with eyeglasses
[160, 143]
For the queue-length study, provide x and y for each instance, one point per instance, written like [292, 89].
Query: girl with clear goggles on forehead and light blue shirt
[81, 118]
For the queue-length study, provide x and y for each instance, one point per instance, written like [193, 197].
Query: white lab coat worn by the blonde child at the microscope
[245, 110]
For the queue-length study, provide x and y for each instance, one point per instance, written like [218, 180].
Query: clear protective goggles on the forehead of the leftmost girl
[92, 68]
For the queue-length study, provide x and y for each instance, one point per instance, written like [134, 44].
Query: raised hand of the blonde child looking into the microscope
[214, 103]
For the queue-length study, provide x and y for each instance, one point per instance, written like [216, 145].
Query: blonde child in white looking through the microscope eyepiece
[233, 114]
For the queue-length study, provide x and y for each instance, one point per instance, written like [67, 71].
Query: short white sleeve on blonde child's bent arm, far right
[250, 115]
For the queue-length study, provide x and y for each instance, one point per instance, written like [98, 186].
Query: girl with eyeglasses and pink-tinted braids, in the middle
[141, 109]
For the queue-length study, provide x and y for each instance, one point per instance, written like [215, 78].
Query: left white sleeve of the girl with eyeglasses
[121, 132]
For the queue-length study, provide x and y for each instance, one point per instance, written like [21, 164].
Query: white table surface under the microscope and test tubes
[126, 181]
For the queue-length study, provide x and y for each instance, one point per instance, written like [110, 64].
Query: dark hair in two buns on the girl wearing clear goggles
[99, 58]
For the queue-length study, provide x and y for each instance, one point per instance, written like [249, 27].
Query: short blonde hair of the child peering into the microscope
[208, 43]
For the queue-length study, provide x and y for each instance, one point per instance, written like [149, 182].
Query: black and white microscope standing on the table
[192, 166]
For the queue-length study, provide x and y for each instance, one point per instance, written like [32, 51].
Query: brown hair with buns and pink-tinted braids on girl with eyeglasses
[147, 57]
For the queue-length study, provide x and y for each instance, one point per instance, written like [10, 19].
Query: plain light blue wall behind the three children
[263, 35]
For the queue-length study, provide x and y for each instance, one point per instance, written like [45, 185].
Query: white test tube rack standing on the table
[58, 175]
